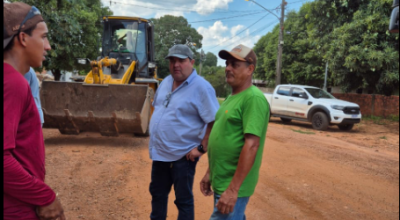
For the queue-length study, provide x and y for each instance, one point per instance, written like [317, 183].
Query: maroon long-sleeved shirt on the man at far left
[24, 154]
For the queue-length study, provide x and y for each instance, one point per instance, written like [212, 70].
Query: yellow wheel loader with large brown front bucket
[115, 96]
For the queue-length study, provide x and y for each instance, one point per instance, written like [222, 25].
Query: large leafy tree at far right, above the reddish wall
[363, 52]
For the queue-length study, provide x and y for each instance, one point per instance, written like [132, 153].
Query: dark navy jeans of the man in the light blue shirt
[180, 174]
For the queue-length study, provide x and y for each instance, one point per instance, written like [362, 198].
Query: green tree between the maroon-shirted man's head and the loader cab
[74, 31]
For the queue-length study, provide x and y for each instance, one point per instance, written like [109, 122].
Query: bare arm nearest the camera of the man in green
[246, 161]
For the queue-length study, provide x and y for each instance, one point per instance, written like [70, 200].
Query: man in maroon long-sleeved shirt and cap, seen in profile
[25, 195]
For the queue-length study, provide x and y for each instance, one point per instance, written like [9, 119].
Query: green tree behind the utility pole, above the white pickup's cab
[302, 64]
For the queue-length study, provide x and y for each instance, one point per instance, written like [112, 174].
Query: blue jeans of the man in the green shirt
[238, 212]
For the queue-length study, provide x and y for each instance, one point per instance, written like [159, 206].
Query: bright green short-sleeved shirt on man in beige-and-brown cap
[240, 114]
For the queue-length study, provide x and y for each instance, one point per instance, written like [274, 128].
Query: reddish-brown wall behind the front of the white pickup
[376, 105]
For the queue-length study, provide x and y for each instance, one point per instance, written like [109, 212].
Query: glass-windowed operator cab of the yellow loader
[129, 39]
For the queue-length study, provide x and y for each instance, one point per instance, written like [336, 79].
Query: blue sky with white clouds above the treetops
[223, 23]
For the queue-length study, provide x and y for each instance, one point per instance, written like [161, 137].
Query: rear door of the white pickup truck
[280, 100]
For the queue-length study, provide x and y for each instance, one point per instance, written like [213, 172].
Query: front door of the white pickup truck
[298, 103]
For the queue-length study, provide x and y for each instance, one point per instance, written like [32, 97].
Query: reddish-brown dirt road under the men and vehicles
[305, 175]
